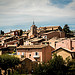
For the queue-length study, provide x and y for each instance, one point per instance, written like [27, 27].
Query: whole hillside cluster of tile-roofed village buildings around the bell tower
[38, 44]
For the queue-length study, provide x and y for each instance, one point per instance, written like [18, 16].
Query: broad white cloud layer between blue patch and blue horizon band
[22, 11]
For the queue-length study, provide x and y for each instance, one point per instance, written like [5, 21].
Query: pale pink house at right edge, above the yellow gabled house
[68, 43]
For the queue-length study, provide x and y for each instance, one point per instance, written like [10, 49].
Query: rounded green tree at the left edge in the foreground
[7, 61]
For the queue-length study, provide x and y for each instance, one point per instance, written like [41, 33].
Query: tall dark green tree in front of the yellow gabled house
[57, 66]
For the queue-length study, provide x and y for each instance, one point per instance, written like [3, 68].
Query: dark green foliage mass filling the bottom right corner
[56, 66]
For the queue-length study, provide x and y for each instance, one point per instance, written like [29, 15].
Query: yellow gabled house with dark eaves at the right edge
[65, 53]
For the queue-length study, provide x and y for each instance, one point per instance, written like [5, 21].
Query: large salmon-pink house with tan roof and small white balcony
[39, 53]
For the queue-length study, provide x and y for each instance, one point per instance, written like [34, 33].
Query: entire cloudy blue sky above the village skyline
[20, 14]
